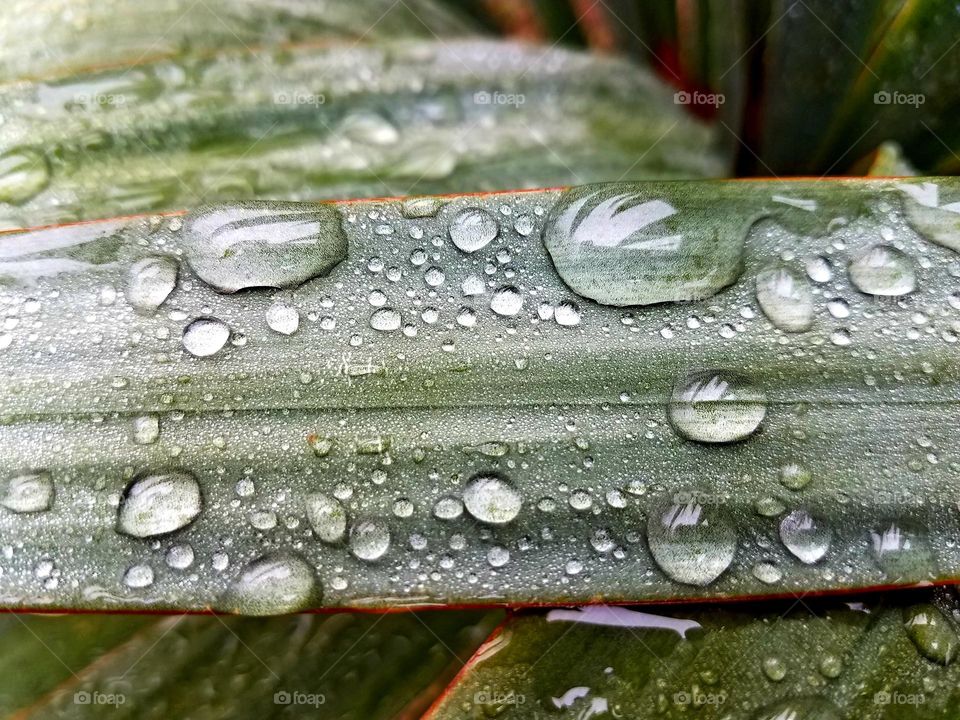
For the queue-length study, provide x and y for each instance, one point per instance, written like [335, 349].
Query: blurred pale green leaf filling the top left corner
[40, 39]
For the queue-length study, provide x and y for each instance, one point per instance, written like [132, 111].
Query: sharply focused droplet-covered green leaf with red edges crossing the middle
[442, 419]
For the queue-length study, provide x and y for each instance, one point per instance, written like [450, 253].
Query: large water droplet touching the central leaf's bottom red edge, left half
[273, 585]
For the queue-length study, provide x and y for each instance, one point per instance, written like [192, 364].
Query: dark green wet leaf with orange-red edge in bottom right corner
[798, 660]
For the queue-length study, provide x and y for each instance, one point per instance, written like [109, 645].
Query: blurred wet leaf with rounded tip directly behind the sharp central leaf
[342, 121]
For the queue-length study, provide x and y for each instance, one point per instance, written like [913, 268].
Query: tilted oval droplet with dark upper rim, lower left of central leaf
[156, 503]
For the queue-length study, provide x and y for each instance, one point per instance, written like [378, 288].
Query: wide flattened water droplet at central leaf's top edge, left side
[264, 244]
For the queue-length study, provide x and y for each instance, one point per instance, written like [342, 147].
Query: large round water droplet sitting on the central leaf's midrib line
[716, 406]
